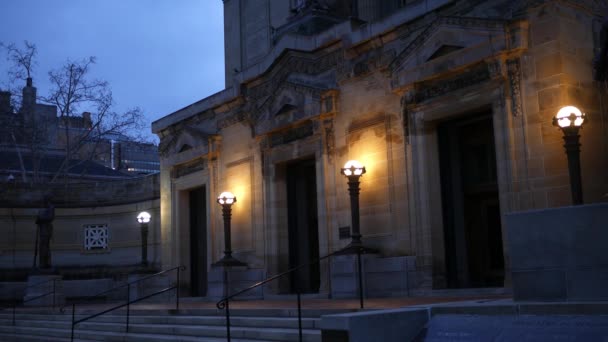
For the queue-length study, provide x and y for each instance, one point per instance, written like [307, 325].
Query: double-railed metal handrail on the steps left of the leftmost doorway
[129, 301]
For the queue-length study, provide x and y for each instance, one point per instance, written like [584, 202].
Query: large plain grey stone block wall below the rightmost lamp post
[559, 254]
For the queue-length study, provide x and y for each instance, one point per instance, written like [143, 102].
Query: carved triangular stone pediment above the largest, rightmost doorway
[453, 42]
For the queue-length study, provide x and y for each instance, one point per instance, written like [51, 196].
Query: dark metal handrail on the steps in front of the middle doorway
[224, 303]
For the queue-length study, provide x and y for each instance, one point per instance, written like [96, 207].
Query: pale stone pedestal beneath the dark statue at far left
[44, 290]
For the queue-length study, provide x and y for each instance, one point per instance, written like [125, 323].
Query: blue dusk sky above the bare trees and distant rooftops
[159, 55]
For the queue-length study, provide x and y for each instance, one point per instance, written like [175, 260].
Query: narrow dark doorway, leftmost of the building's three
[198, 242]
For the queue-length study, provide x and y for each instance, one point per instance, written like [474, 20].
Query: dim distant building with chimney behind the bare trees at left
[33, 143]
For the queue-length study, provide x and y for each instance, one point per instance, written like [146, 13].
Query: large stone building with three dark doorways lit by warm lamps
[447, 103]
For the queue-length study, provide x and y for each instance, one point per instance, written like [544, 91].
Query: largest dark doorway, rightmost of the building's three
[471, 211]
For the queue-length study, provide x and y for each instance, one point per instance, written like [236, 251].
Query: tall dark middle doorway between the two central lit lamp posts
[302, 224]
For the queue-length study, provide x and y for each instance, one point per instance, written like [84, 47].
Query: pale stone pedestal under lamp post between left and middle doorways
[227, 280]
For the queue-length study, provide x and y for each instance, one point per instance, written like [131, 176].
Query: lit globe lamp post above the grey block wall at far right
[570, 119]
